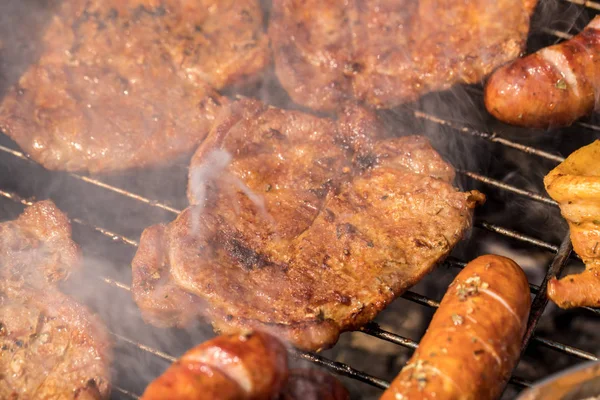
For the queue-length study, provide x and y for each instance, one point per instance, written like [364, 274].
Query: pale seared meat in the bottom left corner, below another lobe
[51, 347]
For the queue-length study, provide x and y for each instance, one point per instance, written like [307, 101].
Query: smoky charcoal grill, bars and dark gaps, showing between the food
[109, 213]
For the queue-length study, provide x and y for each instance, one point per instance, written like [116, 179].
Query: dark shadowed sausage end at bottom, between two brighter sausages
[310, 384]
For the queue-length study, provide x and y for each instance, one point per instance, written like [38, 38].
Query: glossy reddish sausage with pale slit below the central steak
[252, 366]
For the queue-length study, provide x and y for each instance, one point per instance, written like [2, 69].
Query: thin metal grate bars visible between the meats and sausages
[562, 252]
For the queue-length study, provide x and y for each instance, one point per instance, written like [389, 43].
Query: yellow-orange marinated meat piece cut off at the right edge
[575, 185]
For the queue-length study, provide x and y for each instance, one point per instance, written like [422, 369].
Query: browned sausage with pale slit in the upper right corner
[552, 87]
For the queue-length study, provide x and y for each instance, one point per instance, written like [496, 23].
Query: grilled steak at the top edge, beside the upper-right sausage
[388, 53]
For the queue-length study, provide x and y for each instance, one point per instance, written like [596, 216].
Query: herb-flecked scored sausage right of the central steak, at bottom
[474, 339]
